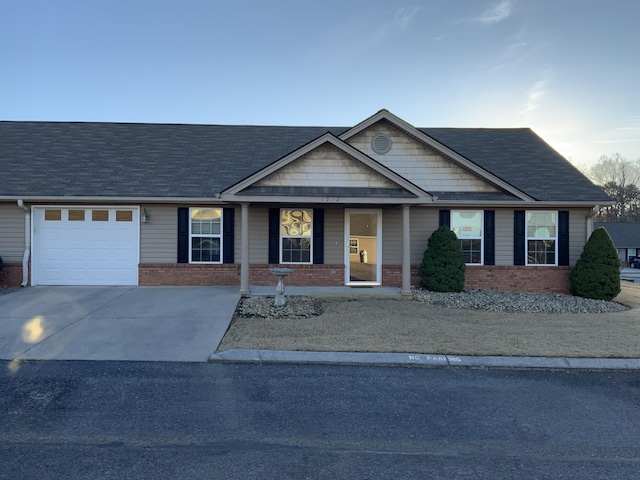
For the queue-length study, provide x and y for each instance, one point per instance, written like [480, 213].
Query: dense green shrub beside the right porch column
[442, 268]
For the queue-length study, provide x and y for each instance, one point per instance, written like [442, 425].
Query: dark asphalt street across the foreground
[104, 420]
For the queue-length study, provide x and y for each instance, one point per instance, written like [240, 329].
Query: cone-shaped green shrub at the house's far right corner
[597, 272]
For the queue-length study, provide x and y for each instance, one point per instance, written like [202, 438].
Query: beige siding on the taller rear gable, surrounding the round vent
[420, 164]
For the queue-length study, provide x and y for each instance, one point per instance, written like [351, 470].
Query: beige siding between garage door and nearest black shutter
[159, 237]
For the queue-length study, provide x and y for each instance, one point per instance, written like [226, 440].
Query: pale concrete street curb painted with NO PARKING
[420, 360]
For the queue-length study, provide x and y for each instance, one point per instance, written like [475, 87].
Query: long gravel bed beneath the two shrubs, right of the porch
[515, 302]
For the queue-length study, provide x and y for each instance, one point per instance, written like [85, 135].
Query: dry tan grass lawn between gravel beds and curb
[368, 324]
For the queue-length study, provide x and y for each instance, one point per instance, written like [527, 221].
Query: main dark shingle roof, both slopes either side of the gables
[199, 161]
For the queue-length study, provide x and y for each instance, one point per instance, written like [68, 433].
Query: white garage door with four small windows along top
[85, 246]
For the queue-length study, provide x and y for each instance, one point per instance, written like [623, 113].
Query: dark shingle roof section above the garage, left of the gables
[138, 160]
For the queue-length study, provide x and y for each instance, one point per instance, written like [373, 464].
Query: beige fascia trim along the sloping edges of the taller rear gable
[433, 143]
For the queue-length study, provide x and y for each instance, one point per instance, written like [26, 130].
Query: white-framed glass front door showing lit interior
[363, 252]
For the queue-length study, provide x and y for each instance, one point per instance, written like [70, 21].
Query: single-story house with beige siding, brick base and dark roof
[158, 204]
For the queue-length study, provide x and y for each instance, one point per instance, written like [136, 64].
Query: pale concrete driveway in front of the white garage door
[183, 324]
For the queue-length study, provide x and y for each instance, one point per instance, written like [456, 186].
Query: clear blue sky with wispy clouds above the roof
[569, 69]
